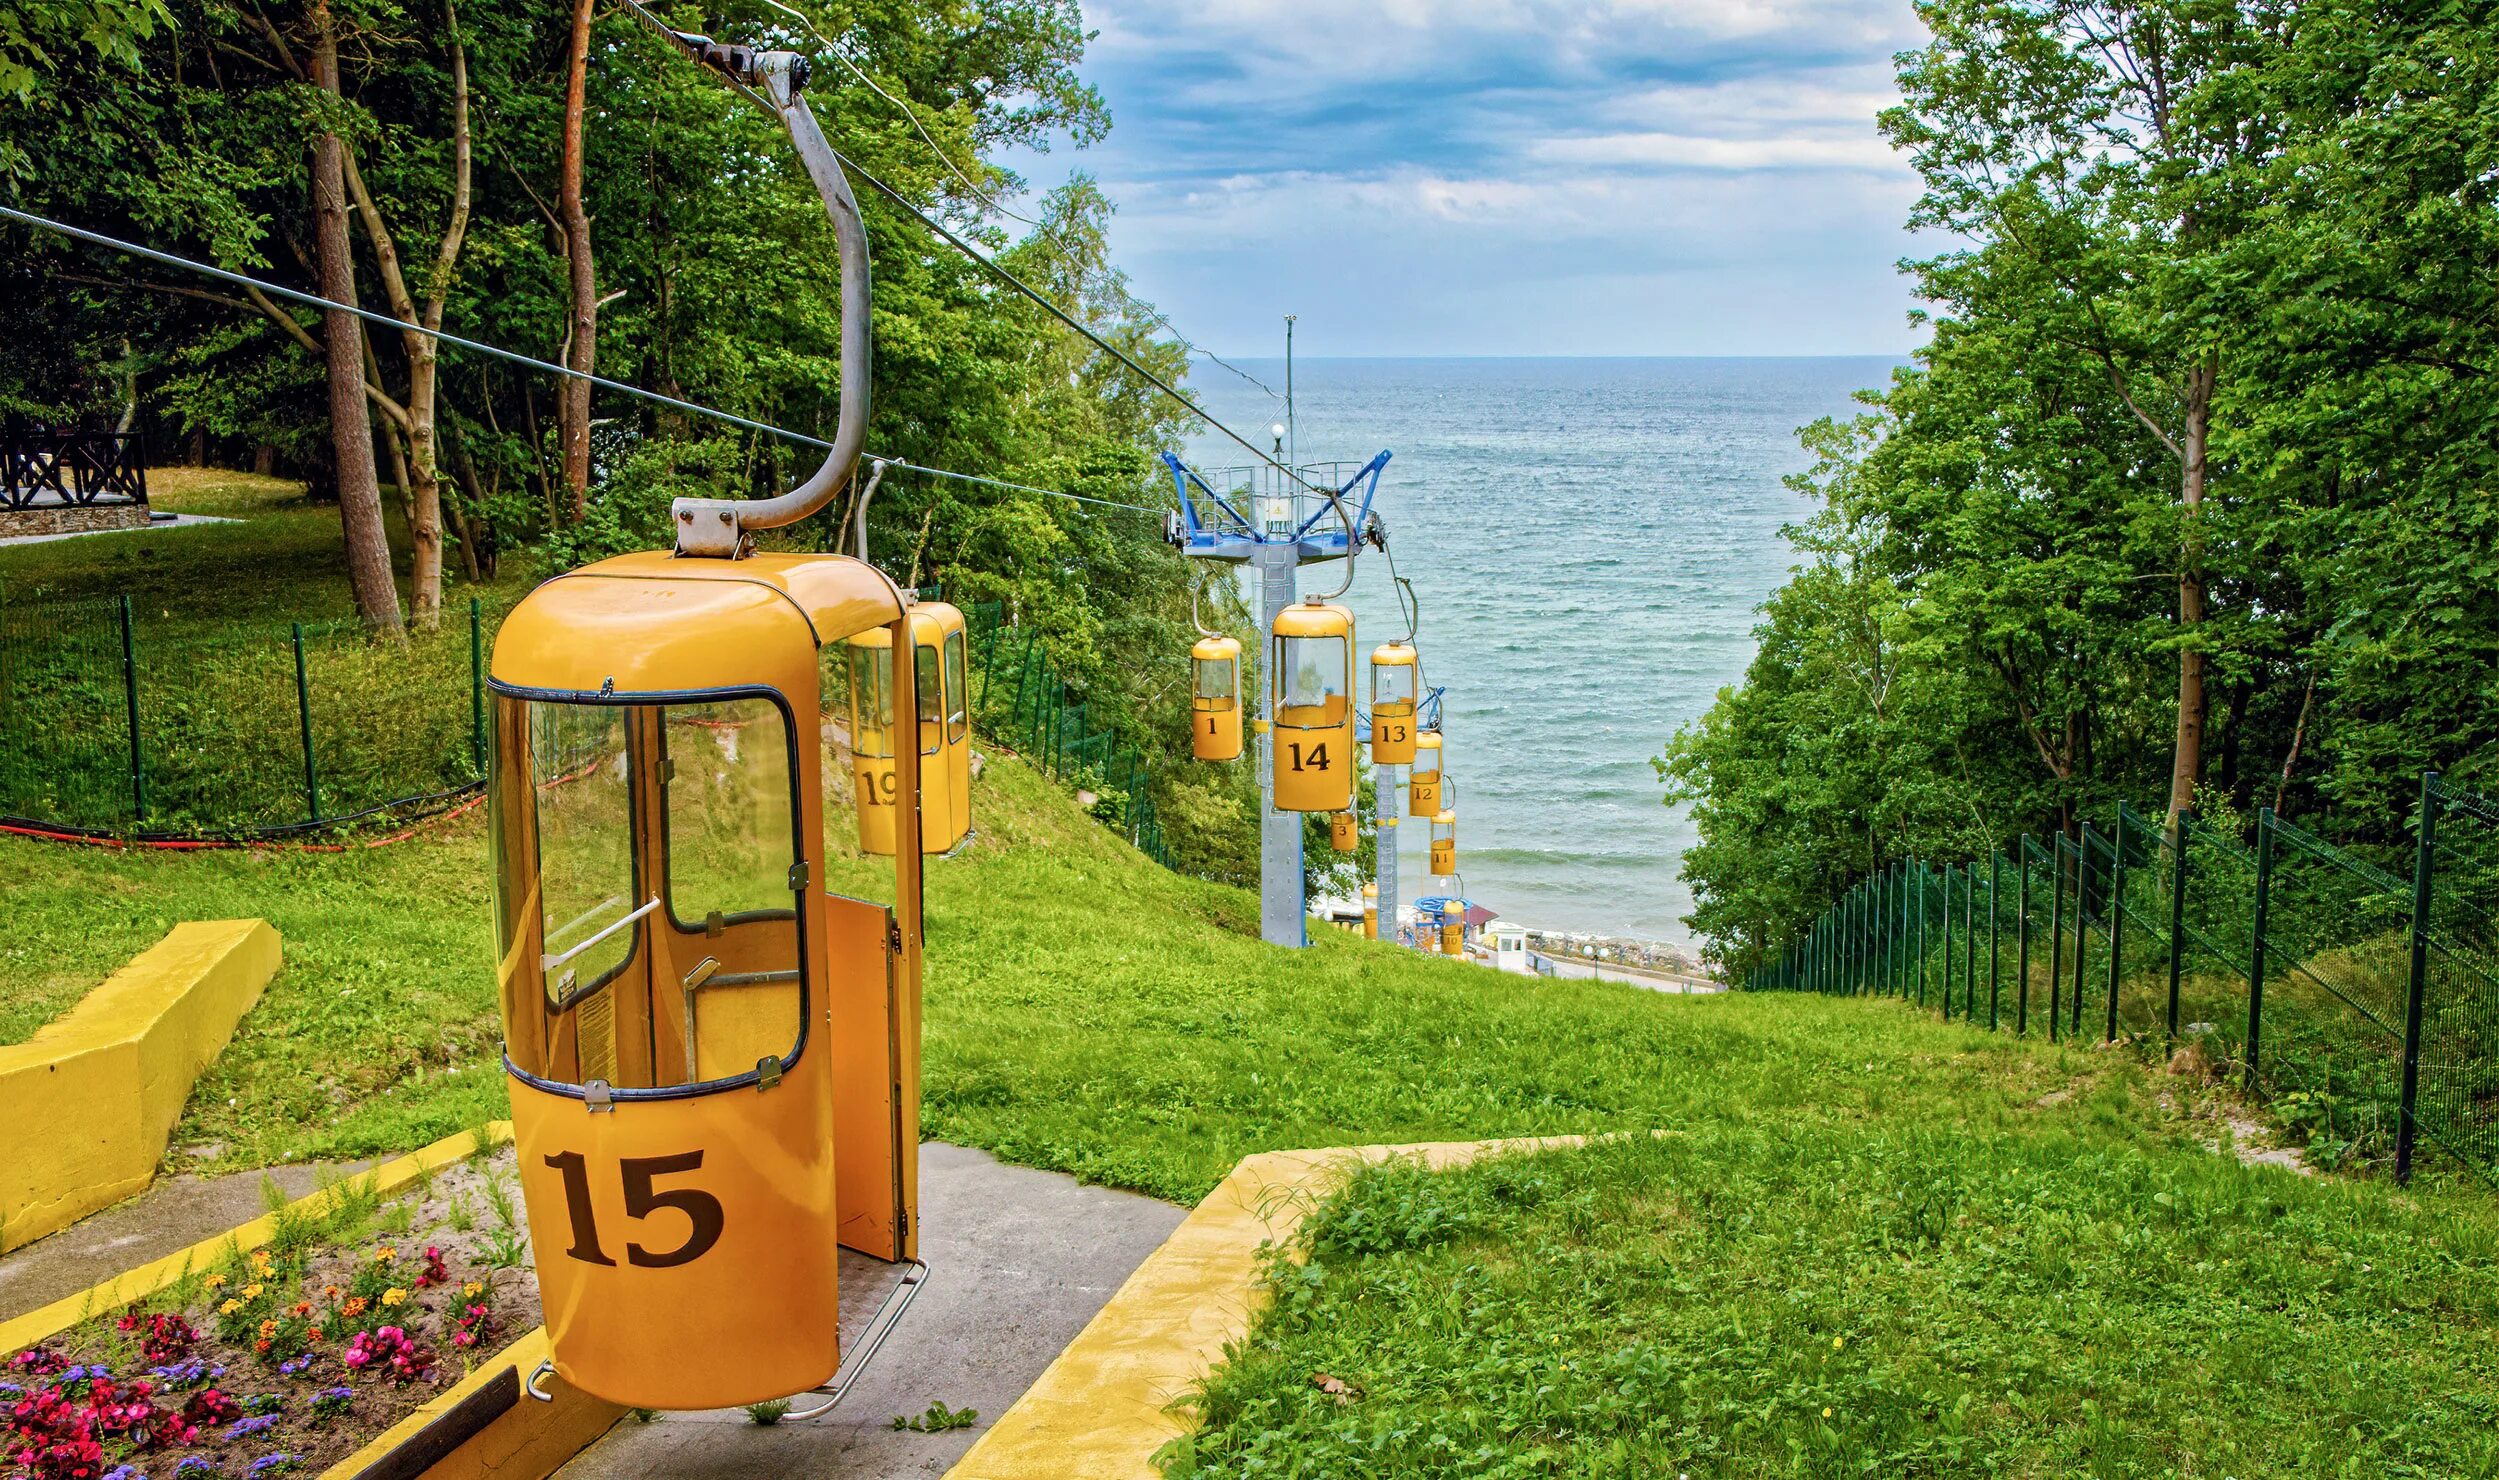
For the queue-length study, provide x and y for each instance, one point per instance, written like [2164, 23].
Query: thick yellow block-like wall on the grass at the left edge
[89, 1101]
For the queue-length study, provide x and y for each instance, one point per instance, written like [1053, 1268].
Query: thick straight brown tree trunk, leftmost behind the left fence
[351, 436]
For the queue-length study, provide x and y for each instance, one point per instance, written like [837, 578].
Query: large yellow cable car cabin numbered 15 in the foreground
[713, 1056]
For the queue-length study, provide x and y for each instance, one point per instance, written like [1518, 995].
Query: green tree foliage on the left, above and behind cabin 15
[189, 124]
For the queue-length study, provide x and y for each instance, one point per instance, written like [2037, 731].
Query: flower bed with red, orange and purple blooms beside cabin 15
[291, 1356]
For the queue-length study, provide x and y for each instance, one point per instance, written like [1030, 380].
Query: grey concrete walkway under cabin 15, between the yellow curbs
[1018, 1264]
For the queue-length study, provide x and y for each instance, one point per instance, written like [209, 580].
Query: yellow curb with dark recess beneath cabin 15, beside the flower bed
[514, 1436]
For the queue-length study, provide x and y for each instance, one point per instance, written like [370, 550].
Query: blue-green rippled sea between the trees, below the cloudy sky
[1591, 541]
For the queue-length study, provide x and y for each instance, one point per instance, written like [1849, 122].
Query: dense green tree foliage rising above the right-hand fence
[2285, 214]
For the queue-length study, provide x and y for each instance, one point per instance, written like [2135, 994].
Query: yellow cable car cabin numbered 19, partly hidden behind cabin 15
[946, 731]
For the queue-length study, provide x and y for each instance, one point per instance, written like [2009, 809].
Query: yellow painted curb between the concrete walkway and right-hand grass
[1106, 1404]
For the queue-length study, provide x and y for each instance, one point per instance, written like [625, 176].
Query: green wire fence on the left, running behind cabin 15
[124, 724]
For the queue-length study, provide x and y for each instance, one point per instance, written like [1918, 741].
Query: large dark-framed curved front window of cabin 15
[648, 891]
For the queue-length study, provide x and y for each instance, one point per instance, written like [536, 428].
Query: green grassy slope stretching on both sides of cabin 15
[2028, 1259]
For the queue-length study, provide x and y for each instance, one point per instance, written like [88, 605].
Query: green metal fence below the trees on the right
[2360, 996]
